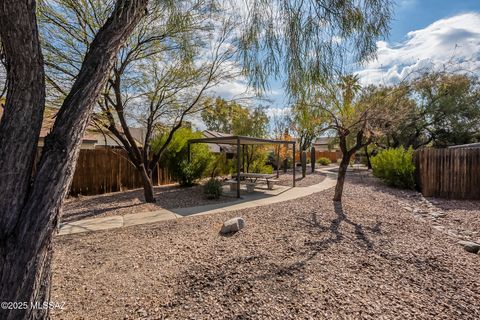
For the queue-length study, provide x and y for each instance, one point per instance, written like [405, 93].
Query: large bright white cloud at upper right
[452, 42]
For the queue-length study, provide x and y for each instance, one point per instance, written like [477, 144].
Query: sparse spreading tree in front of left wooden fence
[158, 79]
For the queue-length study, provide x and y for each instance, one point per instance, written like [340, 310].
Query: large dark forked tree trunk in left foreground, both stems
[29, 205]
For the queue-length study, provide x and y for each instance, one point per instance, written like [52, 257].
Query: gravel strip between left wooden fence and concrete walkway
[121, 203]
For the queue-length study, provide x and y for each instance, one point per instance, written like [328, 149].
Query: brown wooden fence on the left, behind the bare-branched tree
[108, 170]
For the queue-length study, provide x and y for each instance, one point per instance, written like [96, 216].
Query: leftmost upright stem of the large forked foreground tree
[23, 111]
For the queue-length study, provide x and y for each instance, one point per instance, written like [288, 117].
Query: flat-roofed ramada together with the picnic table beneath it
[241, 141]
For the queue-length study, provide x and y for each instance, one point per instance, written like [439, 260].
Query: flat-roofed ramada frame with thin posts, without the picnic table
[240, 141]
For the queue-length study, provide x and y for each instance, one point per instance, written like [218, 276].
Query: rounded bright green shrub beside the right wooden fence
[395, 167]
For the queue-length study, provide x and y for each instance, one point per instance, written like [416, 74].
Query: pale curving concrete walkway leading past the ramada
[247, 201]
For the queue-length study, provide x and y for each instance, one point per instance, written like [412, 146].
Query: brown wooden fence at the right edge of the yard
[448, 173]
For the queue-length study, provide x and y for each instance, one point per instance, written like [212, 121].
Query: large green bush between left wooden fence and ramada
[175, 156]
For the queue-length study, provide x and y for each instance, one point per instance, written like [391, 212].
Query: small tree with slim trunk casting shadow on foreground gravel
[357, 119]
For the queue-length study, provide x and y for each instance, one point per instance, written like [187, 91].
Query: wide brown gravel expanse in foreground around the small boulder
[302, 259]
